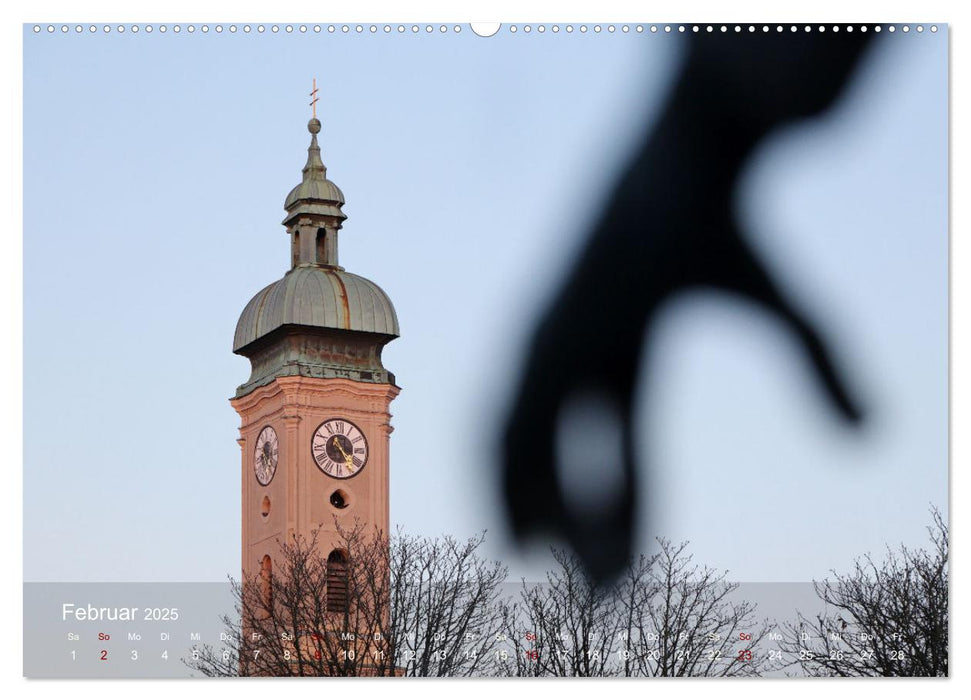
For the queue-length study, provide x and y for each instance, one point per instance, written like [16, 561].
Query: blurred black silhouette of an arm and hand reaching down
[669, 226]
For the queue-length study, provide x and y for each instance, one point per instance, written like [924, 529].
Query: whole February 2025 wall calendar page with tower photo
[597, 349]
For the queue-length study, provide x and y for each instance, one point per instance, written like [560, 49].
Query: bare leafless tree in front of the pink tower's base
[406, 607]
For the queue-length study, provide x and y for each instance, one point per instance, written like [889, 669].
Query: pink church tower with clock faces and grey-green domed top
[314, 413]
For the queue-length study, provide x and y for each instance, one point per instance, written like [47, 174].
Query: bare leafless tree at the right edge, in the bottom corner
[882, 619]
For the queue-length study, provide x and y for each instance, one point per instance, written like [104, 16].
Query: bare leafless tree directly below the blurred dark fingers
[664, 617]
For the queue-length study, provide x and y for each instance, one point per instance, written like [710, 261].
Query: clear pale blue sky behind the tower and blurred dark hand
[155, 168]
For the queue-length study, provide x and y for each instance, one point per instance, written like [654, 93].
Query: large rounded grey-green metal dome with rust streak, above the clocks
[319, 297]
